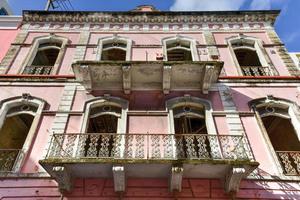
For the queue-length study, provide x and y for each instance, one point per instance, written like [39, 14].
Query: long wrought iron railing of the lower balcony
[149, 146]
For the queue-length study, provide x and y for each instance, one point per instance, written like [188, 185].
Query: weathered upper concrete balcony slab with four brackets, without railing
[147, 75]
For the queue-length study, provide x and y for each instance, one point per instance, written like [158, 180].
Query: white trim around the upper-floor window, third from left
[193, 47]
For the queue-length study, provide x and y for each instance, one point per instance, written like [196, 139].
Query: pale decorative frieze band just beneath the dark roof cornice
[192, 27]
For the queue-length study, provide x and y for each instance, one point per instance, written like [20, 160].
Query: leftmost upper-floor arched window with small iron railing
[45, 55]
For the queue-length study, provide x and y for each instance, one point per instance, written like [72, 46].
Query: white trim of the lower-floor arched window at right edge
[294, 114]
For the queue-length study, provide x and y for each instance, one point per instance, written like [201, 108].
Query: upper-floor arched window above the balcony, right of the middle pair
[180, 48]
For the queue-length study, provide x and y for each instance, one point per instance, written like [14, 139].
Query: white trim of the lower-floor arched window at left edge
[17, 101]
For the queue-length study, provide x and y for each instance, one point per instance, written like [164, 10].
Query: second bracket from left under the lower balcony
[119, 178]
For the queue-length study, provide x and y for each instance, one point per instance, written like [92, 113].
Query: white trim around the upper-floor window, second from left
[112, 39]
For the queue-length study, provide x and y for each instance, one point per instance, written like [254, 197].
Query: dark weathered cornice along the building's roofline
[151, 17]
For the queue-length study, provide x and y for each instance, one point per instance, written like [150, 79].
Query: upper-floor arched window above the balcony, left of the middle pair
[114, 48]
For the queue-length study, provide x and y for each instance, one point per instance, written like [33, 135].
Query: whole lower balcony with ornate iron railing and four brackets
[160, 155]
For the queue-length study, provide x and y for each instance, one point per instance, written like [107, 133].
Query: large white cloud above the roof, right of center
[207, 5]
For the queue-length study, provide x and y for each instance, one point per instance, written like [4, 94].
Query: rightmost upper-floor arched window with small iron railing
[249, 55]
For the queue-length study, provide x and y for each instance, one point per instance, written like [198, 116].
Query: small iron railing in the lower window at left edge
[8, 158]
